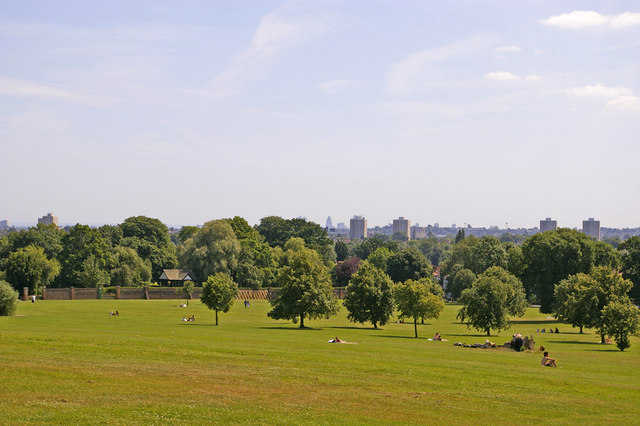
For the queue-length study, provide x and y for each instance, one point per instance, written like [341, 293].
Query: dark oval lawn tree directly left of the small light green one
[369, 296]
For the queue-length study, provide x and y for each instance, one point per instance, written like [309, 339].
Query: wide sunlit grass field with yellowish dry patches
[71, 362]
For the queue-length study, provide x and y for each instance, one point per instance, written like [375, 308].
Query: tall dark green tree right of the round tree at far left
[81, 244]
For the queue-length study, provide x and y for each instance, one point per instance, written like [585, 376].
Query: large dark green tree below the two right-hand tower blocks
[552, 256]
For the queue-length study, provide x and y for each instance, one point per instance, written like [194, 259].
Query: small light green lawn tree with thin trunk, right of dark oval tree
[415, 300]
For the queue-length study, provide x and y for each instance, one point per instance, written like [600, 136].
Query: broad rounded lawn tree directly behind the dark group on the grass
[494, 296]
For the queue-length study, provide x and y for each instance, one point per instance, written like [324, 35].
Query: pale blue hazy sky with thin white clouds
[482, 113]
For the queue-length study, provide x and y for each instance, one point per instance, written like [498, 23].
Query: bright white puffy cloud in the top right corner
[591, 19]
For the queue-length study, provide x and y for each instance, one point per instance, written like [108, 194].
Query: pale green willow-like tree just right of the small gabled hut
[213, 249]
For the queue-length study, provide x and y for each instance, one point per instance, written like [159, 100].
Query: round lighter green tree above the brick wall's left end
[29, 267]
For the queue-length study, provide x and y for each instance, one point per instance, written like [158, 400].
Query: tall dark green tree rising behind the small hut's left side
[150, 238]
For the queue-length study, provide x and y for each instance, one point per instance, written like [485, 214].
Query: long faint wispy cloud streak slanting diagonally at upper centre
[278, 31]
